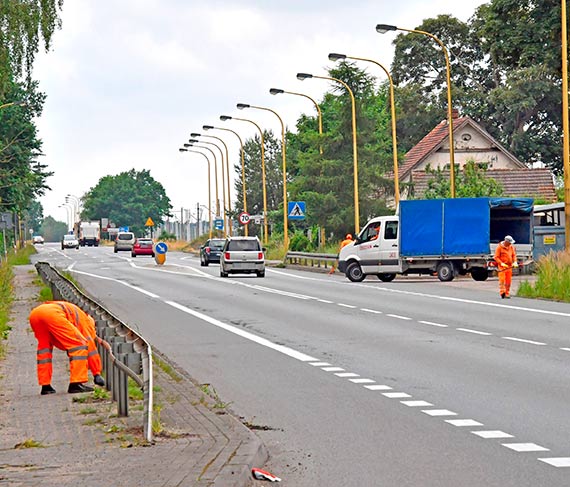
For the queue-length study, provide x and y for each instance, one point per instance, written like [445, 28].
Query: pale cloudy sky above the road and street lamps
[129, 80]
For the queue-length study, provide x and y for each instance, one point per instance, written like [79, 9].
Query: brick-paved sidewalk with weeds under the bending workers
[84, 444]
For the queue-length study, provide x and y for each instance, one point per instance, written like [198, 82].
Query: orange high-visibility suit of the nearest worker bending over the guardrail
[53, 328]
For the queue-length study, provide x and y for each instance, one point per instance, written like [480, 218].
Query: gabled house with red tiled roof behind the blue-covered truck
[472, 142]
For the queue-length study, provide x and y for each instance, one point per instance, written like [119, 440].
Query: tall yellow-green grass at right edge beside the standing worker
[553, 279]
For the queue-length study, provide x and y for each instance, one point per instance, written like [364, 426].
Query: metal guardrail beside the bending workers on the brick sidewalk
[124, 353]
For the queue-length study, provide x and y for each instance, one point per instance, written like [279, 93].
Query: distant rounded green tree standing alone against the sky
[127, 199]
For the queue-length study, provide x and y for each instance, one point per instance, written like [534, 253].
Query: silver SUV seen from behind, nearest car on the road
[242, 255]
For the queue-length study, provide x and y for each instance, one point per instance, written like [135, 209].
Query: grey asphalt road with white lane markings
[408, 383]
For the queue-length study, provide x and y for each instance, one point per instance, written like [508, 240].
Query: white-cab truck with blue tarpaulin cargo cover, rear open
[443, 237]
